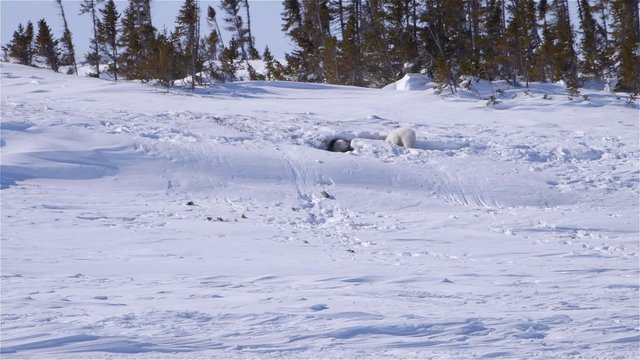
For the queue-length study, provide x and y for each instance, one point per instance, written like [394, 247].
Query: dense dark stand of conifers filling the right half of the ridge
[373, 42]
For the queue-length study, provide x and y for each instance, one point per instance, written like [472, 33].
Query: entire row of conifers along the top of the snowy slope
[362, 42]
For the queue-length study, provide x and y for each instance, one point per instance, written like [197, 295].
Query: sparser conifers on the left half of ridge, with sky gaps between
[127, 45]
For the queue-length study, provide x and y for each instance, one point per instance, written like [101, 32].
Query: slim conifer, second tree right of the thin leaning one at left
[107, 38]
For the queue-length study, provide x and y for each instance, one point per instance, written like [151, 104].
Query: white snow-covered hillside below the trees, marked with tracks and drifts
[140, 222]
